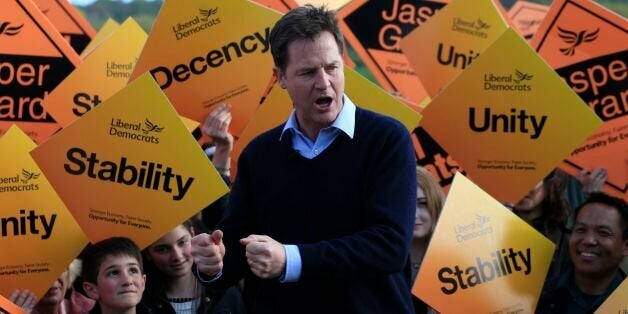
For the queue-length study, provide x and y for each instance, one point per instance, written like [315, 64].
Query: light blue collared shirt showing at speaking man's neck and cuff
[345, 122]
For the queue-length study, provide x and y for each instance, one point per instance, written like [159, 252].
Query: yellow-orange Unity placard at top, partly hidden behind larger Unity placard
[451, 40]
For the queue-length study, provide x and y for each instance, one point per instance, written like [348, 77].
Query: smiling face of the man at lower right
[596, 245]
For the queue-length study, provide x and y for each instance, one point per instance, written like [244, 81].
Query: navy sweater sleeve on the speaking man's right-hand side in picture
[381, 247]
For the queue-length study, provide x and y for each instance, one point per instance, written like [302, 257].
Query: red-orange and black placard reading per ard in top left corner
[34, 59]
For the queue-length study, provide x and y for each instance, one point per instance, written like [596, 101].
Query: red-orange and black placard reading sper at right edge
[587, 45]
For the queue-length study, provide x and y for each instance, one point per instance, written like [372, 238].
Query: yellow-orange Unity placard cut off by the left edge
[39, 237]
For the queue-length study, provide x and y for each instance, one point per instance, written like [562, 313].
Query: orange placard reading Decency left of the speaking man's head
[204, 53]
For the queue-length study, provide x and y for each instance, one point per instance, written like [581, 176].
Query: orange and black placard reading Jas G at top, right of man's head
[378, 41]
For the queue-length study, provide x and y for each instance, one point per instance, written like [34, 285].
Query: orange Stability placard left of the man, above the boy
[130, 167]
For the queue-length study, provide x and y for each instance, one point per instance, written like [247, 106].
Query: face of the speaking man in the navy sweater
[315, 80]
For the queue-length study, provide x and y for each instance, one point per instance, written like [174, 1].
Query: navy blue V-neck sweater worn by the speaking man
[350, 210]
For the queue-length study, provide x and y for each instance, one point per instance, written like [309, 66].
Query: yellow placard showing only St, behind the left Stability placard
[104, 73]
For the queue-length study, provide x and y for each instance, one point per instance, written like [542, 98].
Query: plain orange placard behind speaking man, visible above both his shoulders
[277, 106]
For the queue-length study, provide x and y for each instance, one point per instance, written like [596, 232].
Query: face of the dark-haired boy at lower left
[119, 285]
